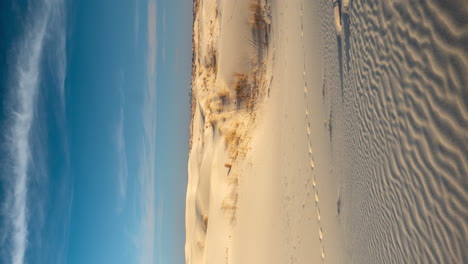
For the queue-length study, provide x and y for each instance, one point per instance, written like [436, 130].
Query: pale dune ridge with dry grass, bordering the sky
[226, 91]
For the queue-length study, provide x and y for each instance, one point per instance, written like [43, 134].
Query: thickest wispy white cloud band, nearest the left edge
[27, 72]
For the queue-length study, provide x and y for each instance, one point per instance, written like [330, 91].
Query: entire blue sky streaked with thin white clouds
[94, 130]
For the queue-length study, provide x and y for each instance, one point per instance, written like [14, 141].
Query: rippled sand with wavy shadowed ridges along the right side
[402, 79]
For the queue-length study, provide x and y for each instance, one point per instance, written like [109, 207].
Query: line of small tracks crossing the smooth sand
[312, 163]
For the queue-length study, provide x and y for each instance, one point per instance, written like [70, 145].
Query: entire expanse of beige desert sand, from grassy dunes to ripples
[328, 132]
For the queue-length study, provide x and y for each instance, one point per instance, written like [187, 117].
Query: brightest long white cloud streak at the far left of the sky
[23, 84]
